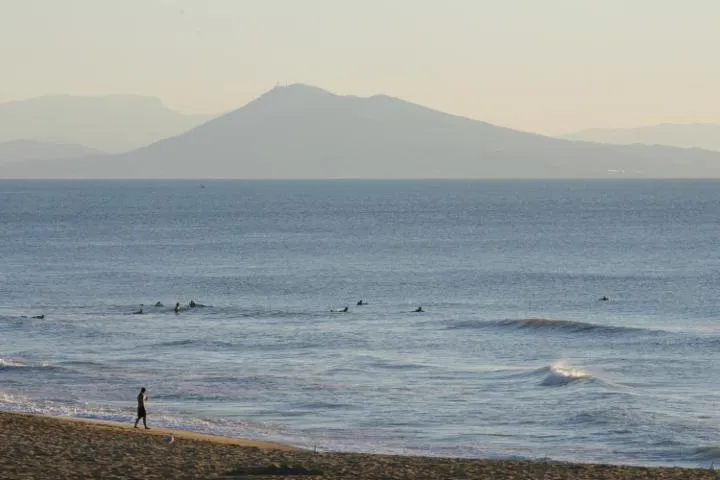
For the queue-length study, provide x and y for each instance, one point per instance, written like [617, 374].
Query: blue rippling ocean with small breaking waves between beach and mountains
[514, 356]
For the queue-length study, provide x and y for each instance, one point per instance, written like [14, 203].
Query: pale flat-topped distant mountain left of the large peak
[114, 123]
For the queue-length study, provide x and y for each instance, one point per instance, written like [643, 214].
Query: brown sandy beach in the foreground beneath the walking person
[37, 447]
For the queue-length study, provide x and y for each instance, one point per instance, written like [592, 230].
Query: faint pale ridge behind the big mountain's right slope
[699, 135]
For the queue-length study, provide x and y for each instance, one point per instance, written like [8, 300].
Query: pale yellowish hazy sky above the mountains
[549, 66]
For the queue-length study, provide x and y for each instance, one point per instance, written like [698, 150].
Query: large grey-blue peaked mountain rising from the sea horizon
[305, 132]
